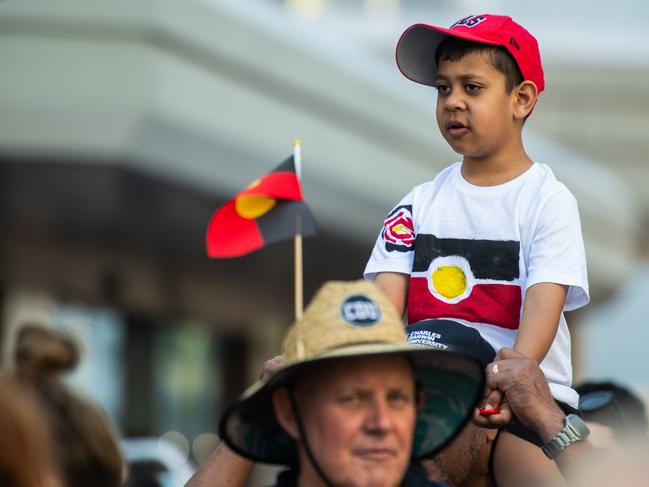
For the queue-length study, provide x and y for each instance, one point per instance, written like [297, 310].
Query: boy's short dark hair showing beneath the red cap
[454, 49]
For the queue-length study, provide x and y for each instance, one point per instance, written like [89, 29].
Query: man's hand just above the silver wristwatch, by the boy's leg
[526, 394]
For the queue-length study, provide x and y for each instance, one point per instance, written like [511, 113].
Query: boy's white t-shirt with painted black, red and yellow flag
[472, 252]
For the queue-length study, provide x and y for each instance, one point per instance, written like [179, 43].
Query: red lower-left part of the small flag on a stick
[229, 235]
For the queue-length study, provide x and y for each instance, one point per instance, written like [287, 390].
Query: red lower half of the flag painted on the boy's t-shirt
[496, 304]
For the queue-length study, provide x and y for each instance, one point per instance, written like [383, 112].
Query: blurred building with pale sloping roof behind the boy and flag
[123, 125]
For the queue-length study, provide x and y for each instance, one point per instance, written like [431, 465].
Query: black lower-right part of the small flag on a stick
[287, 218]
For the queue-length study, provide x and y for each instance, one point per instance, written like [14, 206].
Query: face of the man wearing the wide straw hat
[359, 416]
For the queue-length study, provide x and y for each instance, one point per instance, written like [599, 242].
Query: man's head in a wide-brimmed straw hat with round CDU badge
[353, 403]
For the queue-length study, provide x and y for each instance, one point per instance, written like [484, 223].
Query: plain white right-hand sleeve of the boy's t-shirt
[557, 252]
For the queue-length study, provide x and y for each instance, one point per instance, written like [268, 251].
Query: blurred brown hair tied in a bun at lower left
[85, 446]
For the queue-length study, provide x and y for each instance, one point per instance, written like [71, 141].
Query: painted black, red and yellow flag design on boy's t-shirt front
[473, 280]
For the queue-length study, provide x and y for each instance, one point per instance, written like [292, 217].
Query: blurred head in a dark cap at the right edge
[619, 415]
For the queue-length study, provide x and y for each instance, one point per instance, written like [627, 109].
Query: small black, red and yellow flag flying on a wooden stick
[270, 209]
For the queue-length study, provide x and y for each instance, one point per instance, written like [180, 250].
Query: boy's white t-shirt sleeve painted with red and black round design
[395, 245]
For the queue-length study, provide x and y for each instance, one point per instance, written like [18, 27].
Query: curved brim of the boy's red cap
[417, 47]
